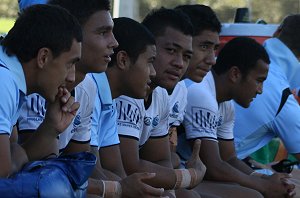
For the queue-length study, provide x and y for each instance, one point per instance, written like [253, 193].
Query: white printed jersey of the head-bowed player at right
[205, 118]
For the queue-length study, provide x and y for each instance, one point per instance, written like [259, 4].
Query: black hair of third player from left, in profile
[133, 38]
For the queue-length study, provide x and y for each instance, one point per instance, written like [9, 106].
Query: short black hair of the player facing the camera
[158, 20]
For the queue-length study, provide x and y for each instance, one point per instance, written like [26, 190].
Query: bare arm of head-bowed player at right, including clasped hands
[219, 170]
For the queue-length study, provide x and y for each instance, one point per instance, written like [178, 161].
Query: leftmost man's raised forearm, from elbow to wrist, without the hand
[42, 143]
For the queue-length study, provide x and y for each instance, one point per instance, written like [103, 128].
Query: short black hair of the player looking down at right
[242, 52]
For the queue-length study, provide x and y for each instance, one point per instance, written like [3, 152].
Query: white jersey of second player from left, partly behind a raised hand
[34, 109]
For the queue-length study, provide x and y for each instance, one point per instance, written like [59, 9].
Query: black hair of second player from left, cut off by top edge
[82, 9]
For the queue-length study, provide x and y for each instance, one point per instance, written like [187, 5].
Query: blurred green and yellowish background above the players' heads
[270, 11]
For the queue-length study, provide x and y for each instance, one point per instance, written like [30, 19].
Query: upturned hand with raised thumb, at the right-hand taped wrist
[196, 163]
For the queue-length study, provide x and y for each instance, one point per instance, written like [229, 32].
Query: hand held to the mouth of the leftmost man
[61, 112]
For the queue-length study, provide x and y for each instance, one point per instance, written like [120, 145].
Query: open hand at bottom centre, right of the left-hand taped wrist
[133, 186]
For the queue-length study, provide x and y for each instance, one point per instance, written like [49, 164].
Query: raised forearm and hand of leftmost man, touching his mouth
[58, 117]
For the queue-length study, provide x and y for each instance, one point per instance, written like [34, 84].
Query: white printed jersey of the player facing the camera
[134, 120]
